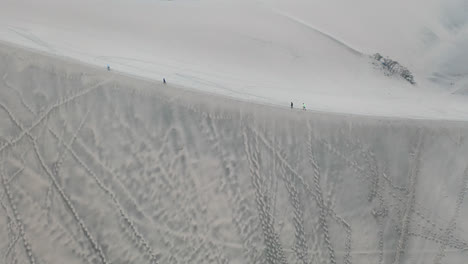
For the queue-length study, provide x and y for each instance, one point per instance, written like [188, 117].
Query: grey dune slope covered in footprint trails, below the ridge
[101, 168]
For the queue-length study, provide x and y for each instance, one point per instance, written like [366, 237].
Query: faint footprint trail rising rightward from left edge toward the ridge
[55, 106]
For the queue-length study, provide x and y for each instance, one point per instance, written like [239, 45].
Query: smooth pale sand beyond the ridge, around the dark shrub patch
[269, 51]
